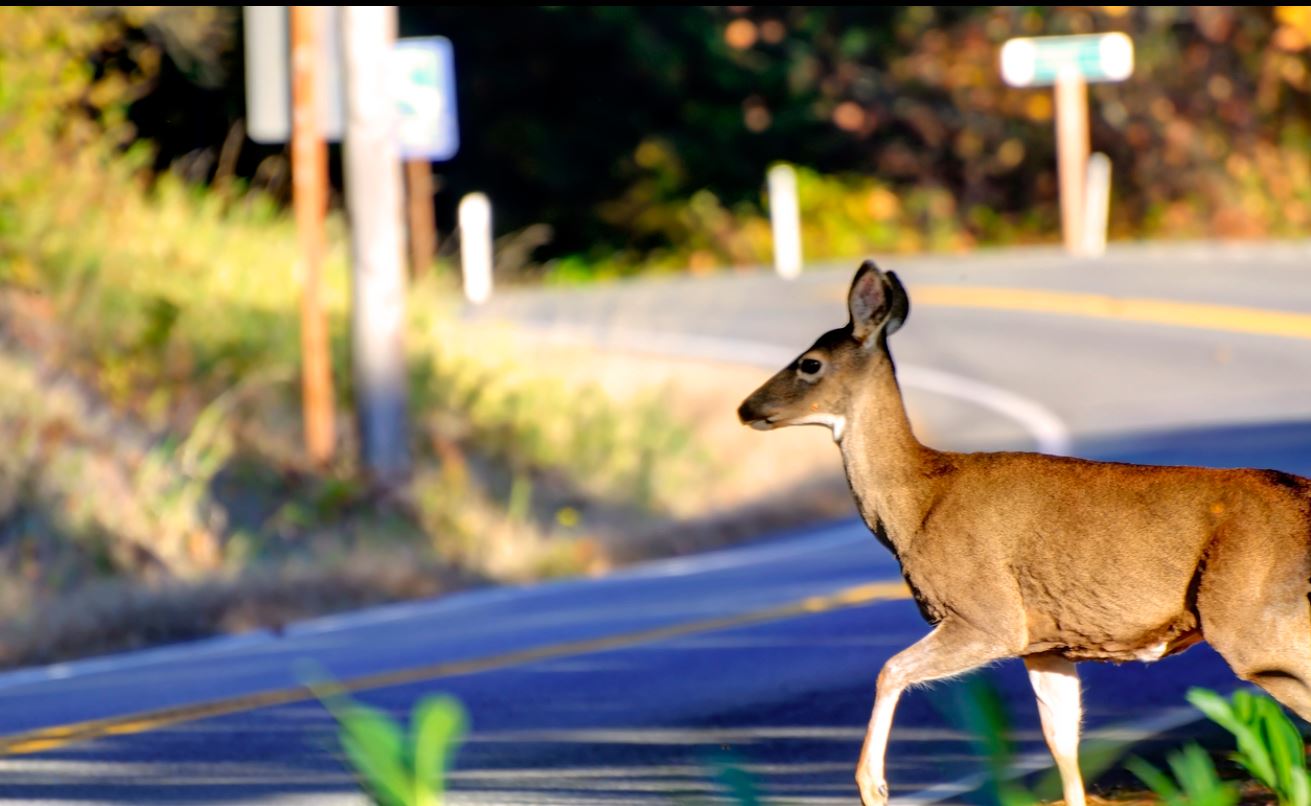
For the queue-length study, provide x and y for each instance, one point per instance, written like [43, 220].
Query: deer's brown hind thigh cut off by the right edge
[1255, 607]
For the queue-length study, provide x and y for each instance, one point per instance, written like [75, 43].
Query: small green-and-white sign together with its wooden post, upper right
[1070, 64]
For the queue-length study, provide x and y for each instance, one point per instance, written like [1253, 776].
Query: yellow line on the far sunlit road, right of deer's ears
[1232, 319]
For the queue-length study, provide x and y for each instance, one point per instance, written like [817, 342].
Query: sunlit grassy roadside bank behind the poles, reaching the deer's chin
[153, 402]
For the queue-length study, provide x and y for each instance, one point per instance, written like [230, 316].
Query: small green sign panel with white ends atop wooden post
[1040, 61]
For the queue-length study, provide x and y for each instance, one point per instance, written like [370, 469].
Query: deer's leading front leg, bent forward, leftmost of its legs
[951, 649]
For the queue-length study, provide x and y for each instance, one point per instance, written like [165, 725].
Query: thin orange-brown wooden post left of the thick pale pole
[310, 199]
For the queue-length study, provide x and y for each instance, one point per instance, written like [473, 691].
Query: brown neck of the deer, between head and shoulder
[887, 467]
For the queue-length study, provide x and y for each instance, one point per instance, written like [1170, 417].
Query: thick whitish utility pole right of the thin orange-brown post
[373, 176]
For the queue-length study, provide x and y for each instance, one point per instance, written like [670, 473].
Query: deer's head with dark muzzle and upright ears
[819, 386]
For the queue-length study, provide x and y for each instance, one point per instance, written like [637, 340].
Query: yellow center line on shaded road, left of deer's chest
[62, 736]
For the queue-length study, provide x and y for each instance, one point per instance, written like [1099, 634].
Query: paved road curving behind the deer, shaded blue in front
[618, 690]
